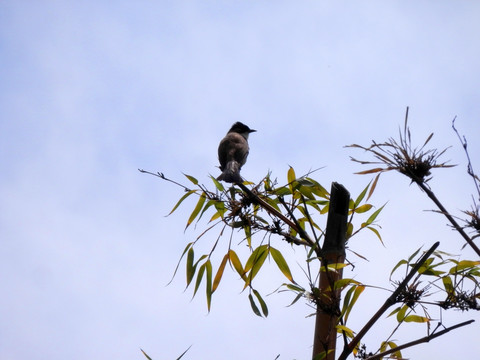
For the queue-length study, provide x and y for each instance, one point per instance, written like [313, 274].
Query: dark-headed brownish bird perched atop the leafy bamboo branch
[233, 152]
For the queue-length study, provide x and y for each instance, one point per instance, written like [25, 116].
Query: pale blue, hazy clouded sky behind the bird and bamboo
[91, 91]
